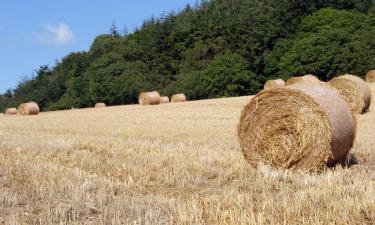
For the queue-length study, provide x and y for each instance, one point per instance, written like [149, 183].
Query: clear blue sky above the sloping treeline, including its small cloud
[35, 33]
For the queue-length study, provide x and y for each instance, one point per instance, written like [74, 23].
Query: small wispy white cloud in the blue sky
[58, 35]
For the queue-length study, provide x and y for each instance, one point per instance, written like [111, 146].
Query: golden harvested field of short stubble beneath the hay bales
[167, 164]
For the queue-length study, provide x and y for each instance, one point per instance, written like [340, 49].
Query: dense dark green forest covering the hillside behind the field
[213, 49]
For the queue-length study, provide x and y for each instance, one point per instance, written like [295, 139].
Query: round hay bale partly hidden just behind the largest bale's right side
[354, 90]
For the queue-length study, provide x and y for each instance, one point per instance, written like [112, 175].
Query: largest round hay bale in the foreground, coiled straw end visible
[302, 127]
